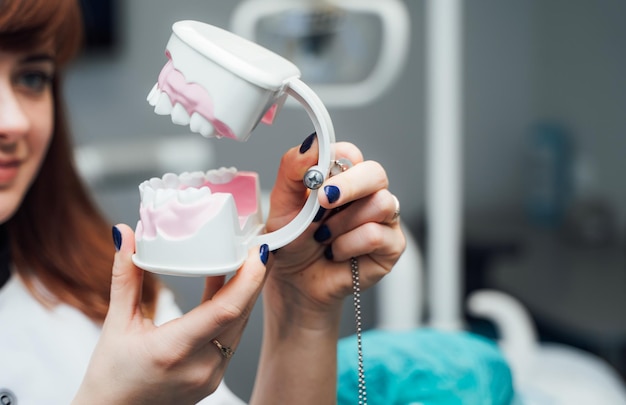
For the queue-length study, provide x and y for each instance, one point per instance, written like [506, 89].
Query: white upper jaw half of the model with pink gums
[206, 92]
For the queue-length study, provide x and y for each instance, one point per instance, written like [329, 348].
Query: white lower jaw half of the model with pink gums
[197, 223]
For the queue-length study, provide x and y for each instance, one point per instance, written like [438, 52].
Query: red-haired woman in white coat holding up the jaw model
[83, 327]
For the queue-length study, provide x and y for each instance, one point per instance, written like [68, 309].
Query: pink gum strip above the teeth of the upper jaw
[192, 96]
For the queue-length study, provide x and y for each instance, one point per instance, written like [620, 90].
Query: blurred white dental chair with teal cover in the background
[408, 363]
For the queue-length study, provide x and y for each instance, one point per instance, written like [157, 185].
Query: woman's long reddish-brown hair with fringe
[58, 236]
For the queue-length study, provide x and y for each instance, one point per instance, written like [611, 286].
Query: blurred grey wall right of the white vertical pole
[528, 61]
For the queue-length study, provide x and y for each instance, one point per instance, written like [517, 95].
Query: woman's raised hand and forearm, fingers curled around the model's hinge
[310, 277]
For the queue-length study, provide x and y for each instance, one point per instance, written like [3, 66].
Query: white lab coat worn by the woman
[44, 352]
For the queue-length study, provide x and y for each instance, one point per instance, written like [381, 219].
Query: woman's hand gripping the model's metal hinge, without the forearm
[359, 218]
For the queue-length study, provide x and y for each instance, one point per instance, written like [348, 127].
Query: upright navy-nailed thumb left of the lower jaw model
[126, 278]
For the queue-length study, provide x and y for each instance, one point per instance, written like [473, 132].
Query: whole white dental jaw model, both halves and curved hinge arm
[222, 86]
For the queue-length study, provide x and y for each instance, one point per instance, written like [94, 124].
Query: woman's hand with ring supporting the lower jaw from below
[177, 362]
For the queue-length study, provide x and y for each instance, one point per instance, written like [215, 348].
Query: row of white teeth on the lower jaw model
[188, 188]
